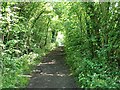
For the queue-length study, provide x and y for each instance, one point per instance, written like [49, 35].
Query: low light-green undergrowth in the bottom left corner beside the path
[14, 68]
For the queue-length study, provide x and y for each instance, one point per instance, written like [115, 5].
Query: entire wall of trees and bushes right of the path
[91, 29]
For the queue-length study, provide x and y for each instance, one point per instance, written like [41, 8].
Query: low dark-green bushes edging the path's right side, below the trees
[90, 72]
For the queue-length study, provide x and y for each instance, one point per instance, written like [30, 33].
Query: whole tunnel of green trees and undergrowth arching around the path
[29, 30]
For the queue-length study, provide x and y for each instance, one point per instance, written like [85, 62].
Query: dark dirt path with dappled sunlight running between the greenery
[52, 72]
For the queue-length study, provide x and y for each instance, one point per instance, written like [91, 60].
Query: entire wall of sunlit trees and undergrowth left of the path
[24, 33]
